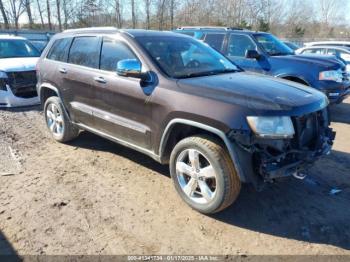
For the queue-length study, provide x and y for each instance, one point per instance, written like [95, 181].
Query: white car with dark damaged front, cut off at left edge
[18, 58]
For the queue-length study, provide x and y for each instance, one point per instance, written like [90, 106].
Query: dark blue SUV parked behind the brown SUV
[264, 53]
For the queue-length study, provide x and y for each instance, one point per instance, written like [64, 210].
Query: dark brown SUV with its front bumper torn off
[182, 103]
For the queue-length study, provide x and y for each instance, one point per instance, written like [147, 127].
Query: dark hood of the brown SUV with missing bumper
[257, 92]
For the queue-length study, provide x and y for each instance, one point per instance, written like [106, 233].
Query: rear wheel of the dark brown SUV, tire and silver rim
[58, 123]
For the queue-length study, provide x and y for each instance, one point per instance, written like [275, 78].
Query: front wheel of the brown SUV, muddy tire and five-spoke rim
[203, 174]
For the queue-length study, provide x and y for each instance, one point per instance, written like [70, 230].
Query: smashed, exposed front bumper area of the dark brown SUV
[265, 160]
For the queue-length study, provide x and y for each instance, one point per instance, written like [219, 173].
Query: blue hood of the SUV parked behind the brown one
[326, 62]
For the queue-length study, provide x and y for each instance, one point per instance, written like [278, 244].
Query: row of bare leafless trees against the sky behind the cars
[289, 18]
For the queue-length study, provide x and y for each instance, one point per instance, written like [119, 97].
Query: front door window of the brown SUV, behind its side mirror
[112, 52]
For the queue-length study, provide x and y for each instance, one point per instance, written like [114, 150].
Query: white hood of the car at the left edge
[18, 64]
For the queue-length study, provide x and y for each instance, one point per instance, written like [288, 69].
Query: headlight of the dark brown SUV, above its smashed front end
[271, 127]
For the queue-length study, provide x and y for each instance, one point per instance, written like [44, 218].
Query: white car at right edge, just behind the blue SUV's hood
[341, 52]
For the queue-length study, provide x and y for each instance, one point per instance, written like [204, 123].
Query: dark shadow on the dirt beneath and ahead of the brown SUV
[295, 209]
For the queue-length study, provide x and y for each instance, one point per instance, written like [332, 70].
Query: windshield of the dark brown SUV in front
[185, 57]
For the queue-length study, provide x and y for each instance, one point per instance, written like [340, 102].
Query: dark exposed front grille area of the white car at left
[23, 84]
